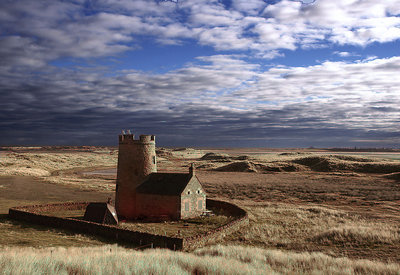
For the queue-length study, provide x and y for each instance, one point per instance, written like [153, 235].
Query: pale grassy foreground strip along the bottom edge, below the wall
[209, 260]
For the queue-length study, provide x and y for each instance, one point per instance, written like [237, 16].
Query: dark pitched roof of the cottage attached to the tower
[164, 184]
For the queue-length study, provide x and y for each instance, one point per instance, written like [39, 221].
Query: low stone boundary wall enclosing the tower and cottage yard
[36, 214]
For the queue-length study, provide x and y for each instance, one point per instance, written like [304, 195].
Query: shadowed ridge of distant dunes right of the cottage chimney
[291, 162]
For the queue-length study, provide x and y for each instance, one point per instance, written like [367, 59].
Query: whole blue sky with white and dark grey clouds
[205, 73]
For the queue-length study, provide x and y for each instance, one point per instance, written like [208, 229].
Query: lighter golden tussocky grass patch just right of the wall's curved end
[284, 225]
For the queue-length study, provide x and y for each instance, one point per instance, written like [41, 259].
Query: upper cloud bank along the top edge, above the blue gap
[108, 27]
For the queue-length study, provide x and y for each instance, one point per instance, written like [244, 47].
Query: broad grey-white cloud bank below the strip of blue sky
[221, 94]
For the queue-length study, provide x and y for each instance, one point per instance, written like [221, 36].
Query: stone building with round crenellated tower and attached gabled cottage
[142, 193]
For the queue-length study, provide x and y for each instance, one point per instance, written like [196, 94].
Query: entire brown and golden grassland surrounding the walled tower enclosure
[309, 212]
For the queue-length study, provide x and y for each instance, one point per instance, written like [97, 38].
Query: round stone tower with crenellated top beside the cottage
[136, 160]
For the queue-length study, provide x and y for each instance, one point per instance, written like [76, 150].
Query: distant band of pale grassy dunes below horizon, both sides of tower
[66, 167]
